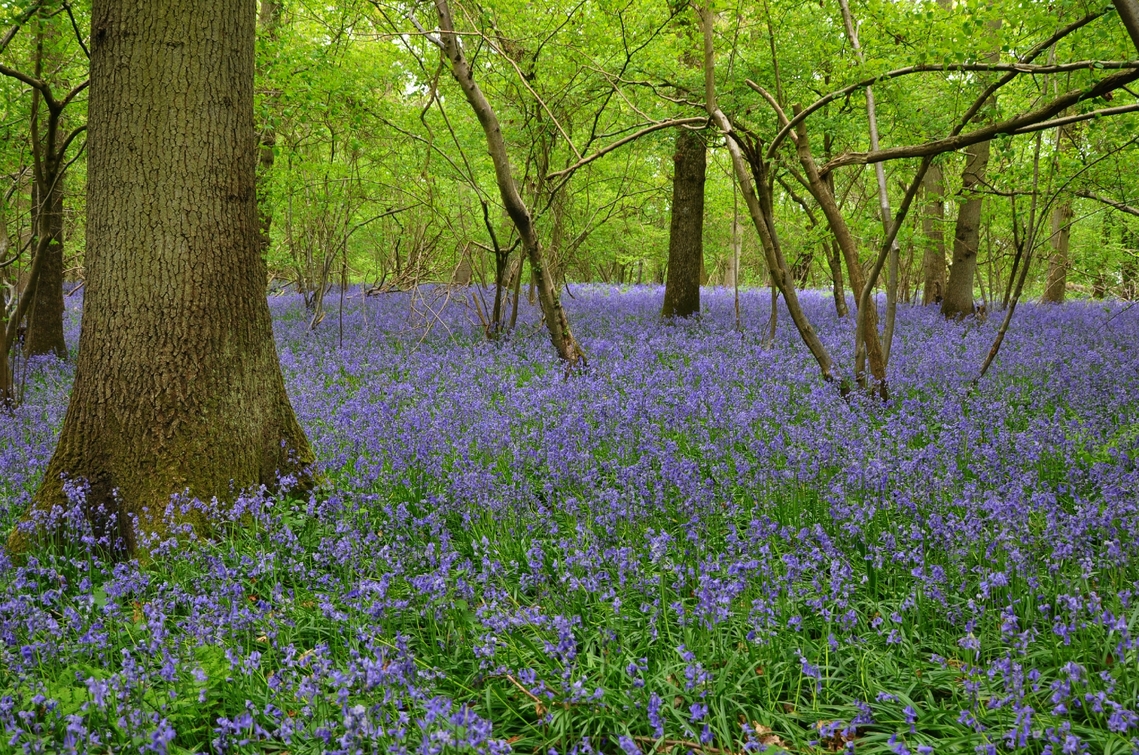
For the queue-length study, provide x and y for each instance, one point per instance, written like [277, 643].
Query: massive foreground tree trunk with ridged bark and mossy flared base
[178, 387]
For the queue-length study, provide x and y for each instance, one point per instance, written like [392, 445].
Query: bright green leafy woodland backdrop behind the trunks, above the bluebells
[375, 171]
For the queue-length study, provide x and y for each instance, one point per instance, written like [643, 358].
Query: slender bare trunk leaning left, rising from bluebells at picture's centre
[556, 321]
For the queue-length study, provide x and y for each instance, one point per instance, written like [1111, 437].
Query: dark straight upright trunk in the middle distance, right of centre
[686, 229]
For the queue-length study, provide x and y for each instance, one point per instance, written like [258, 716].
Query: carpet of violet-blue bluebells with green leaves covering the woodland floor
[694, 547]
